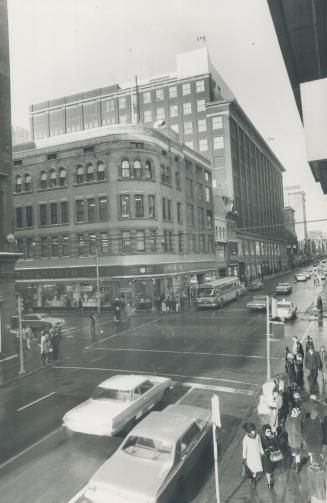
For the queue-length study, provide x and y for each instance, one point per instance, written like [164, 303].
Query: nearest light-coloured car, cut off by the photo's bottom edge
[155, 458]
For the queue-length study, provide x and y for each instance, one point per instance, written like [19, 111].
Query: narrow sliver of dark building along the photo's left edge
[7, 238]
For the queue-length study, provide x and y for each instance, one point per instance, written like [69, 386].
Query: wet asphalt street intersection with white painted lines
[204, 352]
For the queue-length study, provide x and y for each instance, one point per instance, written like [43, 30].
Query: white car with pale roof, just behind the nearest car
[116, 404]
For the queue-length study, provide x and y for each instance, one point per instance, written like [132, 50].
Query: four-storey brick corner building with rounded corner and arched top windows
[125, 201]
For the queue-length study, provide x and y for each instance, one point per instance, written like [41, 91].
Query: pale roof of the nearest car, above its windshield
[163, 425]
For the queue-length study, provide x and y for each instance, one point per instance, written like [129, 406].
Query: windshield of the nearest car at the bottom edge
[148, 448]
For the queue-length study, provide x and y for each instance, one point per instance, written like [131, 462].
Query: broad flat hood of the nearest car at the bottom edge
[127, 478]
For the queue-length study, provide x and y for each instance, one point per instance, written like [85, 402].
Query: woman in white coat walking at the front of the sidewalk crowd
[252, 452]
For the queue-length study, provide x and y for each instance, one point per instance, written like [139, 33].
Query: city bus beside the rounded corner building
[217, 292]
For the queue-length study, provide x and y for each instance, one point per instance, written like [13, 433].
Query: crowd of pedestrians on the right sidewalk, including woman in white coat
[294, 421]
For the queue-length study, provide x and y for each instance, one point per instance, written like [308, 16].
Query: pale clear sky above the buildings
[61, 47]
